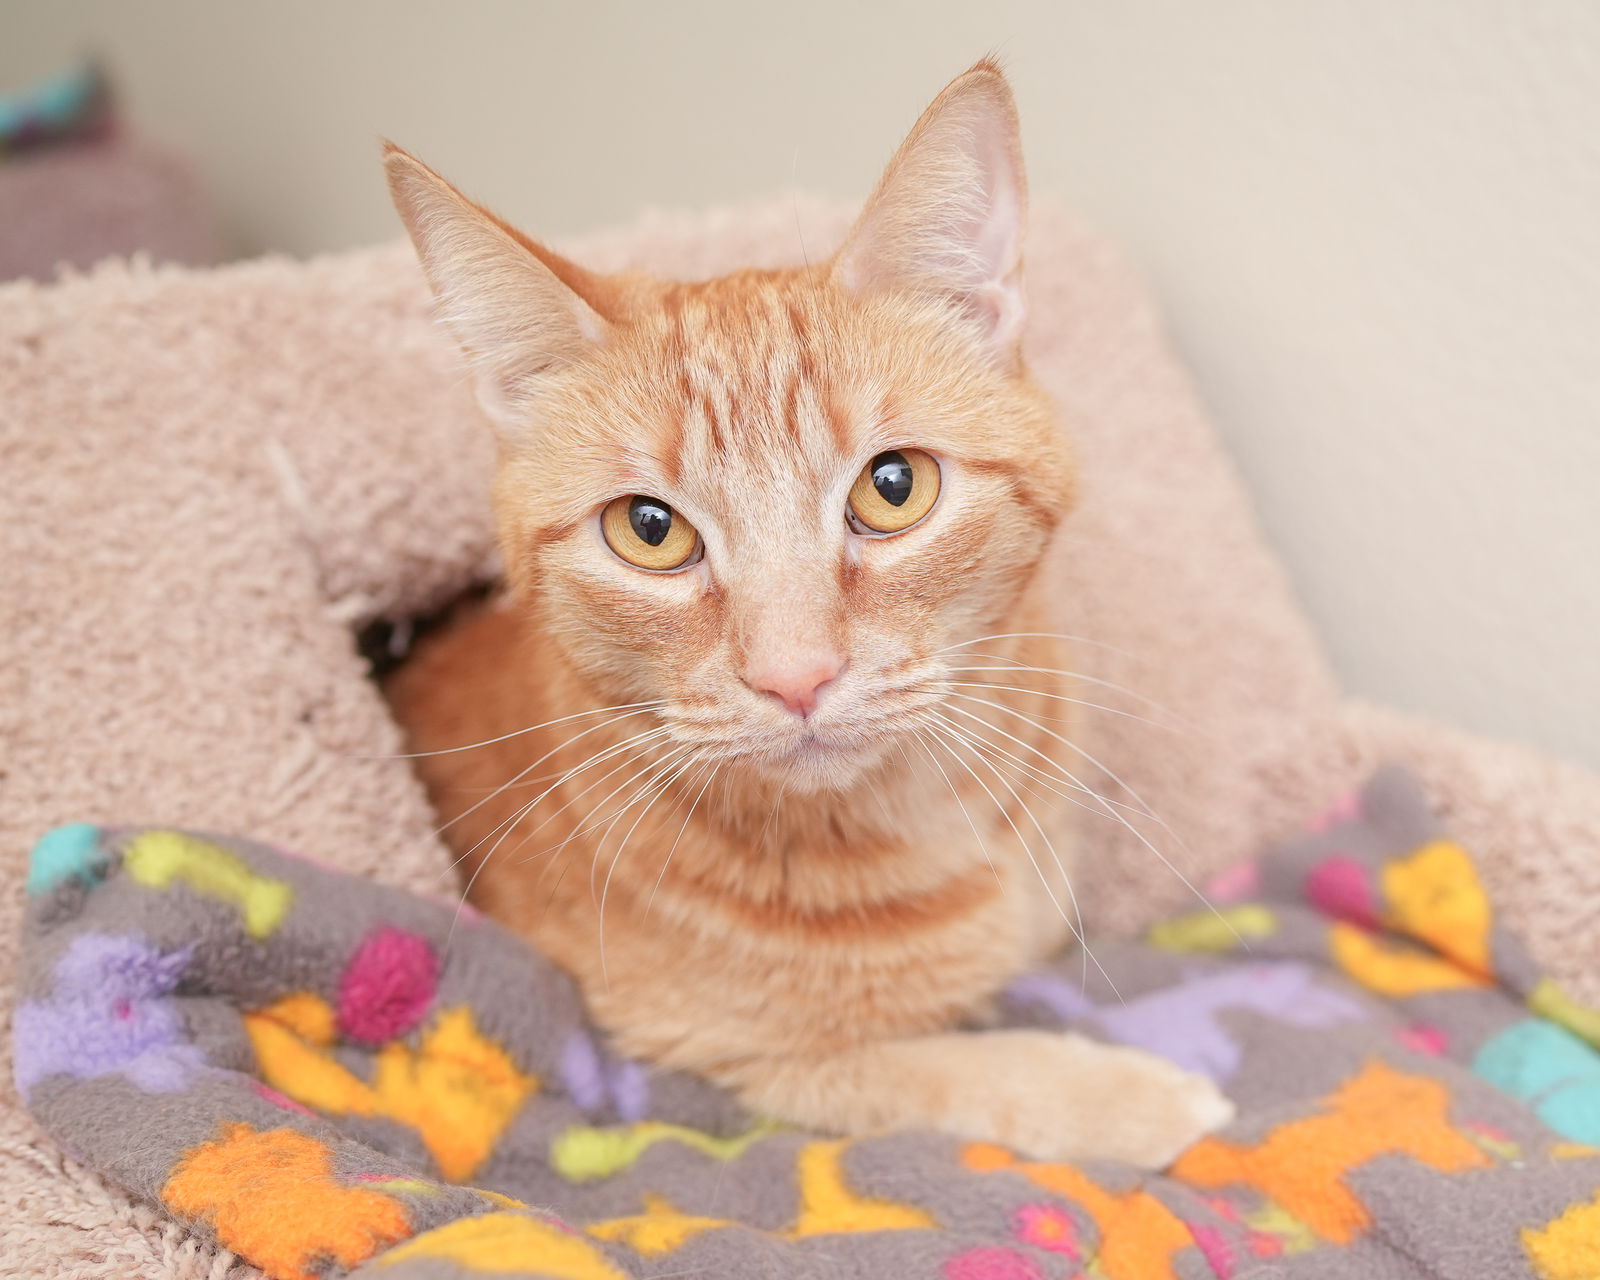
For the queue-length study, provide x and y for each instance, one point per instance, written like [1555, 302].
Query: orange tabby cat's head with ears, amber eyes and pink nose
[772, 502]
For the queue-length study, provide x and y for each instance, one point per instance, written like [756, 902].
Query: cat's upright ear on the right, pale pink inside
[946, 218]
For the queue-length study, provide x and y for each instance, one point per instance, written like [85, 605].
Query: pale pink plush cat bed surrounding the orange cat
[215, 478]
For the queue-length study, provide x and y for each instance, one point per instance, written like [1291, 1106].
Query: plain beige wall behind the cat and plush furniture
[1375, 226]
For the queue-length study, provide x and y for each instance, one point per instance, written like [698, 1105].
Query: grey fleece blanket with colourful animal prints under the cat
[330, 1078]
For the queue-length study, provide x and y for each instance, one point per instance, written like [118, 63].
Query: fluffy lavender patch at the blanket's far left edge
[111, 1012]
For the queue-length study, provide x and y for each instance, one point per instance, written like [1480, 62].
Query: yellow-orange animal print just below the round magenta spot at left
[460, 1090]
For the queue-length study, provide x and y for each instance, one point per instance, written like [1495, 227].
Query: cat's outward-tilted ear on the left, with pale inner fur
[518, 310]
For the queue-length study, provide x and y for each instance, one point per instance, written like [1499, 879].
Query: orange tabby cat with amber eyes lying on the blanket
[762, 537]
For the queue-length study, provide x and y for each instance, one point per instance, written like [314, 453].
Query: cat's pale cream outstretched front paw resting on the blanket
[1066, 1098]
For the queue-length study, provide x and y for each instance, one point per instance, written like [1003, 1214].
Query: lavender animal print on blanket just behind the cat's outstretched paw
[1182, 1023]
